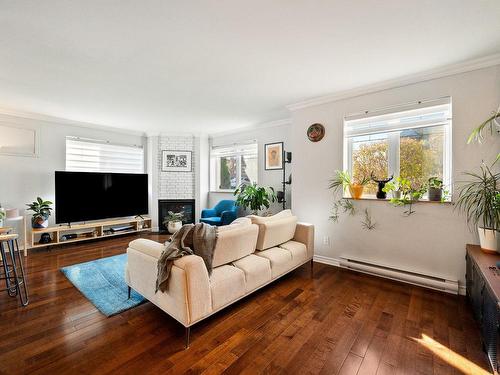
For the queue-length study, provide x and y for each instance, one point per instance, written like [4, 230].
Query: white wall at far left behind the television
[25, 178]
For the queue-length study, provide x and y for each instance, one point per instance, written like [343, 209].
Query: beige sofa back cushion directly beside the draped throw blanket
[235, 242]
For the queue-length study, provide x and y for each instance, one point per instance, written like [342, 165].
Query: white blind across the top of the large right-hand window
[432, 113]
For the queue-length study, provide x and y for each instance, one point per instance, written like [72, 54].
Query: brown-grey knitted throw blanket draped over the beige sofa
[198, 239]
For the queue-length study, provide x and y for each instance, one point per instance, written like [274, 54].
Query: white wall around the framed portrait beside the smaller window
[273, 134]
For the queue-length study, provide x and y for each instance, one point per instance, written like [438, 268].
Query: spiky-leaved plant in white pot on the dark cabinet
[479, 200]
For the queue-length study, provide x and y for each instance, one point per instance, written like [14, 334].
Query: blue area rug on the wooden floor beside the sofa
[102, 281]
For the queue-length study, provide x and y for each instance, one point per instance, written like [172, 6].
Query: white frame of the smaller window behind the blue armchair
[215, 164]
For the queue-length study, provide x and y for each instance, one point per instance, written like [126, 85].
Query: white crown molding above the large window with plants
[461, 67]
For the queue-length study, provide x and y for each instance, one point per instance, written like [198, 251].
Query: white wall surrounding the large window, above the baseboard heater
[433, 239]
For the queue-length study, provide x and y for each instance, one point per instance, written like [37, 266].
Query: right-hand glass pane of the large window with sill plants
[421, 154]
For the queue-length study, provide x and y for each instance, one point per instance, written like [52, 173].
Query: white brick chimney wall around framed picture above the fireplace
[176, 185]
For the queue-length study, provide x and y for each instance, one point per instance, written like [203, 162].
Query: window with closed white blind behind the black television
[99, 156]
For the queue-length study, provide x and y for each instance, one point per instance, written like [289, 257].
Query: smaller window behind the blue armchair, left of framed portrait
[233, 165]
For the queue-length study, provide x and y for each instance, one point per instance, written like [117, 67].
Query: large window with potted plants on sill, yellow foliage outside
[411, 141]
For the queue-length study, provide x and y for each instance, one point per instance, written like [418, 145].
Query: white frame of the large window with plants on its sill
[394, 138]
